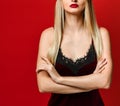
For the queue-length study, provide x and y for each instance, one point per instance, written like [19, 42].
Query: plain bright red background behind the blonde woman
[22, 22]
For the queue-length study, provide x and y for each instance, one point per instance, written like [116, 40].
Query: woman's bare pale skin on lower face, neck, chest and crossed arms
[74, 38]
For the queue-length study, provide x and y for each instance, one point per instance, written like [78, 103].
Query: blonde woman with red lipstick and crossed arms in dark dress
[74, 58]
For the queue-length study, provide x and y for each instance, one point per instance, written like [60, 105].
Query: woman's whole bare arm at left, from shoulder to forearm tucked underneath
[44, 81]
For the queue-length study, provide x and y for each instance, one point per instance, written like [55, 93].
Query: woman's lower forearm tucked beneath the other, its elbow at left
[46, 84]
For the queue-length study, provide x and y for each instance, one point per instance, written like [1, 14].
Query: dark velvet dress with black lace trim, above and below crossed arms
[82, 66]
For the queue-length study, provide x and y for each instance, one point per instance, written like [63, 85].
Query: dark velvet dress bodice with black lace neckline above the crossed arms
[81, 66]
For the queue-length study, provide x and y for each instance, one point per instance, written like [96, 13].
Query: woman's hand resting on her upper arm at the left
[47, 66]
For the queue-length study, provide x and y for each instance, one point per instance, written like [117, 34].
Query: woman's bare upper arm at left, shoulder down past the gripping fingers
[44, 44]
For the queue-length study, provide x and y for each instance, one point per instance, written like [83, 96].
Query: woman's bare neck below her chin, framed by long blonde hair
[73, 23]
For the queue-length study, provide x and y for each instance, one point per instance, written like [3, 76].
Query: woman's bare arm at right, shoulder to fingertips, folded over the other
[95, 80]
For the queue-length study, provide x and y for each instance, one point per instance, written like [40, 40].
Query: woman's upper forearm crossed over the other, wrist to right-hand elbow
[92, 81]
